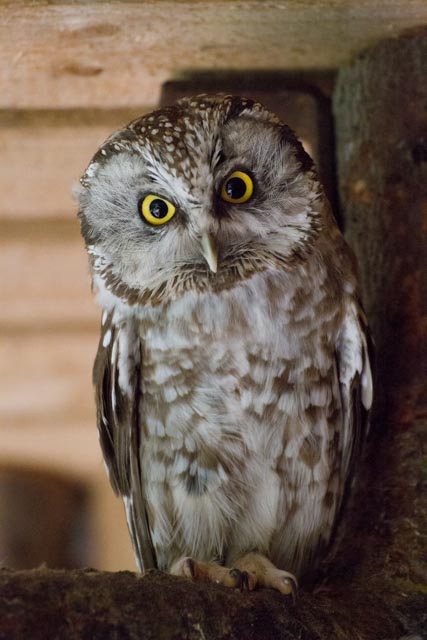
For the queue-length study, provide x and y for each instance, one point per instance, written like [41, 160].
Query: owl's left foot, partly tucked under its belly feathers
[212, 572]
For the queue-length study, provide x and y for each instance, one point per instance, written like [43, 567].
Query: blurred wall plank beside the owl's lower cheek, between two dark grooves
[47, 283]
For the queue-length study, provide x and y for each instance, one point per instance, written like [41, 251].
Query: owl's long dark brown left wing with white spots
[116, 376]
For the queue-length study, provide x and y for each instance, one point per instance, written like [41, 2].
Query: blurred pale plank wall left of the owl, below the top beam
[48, 319]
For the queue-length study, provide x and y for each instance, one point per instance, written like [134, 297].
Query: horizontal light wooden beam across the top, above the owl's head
[64, 54]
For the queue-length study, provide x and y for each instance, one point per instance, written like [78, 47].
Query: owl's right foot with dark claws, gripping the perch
[266, 574]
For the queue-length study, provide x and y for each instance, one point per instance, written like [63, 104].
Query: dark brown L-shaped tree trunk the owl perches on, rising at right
[376, 576]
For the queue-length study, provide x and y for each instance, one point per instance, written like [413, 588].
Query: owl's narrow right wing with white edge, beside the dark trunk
[353, 352]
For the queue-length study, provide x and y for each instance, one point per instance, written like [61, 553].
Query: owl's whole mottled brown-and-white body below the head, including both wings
[231, 421]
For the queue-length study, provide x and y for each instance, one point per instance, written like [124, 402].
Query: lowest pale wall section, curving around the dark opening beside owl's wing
[47, 424]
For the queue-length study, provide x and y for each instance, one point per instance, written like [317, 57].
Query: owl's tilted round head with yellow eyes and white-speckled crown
[199, 195]
